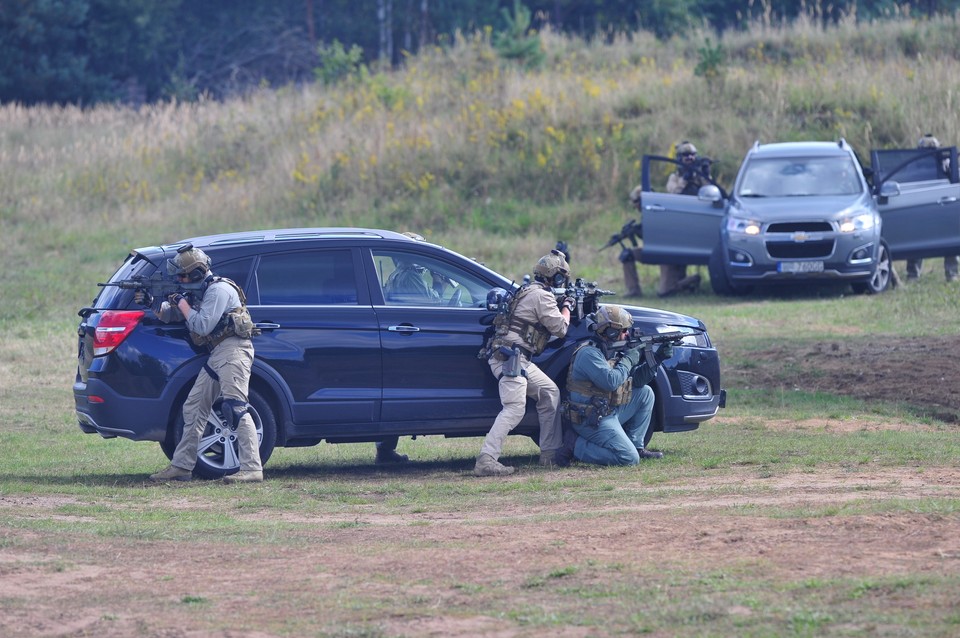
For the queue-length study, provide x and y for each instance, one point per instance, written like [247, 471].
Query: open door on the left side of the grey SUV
[677, 229]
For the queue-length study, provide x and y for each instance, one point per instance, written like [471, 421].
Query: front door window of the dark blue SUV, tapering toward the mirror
[411, 279]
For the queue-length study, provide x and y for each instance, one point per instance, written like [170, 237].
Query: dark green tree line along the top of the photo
[135, 51]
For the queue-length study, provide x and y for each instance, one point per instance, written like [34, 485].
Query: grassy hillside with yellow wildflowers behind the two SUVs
[458, 145]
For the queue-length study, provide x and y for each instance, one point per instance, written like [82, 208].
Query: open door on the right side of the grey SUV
[924, 219]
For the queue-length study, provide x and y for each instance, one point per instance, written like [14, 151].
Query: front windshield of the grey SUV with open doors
[800, 177]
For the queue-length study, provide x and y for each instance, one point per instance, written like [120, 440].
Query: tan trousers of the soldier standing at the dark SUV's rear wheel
[232, 361]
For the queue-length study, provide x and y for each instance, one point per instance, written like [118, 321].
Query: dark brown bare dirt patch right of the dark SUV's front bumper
[917, 371]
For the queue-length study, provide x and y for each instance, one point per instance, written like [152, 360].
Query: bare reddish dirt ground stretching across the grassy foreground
[423, 573]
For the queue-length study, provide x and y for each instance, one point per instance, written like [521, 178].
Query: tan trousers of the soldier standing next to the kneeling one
[513, 395]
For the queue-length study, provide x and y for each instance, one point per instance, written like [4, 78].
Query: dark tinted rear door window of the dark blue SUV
[313, 277]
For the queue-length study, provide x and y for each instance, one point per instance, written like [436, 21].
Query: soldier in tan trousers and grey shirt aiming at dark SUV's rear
[218, 319]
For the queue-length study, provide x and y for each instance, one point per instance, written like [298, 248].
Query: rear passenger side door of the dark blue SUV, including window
[320, 334]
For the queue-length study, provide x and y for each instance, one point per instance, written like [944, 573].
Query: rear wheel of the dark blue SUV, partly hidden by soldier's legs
[211, 461]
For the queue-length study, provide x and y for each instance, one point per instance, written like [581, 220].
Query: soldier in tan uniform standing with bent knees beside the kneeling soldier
[522, 333]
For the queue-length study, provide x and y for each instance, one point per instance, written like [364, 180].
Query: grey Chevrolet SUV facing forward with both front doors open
[808, 211]
